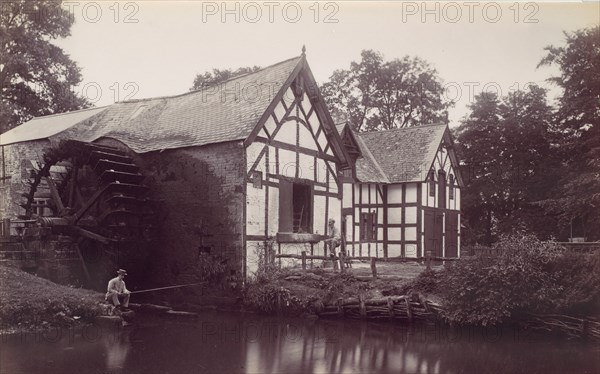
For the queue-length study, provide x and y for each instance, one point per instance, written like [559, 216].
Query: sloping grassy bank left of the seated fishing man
[30, 302]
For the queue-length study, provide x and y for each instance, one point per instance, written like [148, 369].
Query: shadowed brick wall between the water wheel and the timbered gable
[201, 208]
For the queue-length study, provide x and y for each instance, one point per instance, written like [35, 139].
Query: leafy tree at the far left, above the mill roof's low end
[36, 77]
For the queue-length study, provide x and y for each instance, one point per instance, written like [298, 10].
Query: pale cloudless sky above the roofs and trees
[141, 49]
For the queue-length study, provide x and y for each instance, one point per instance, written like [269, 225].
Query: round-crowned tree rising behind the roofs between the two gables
[377, 95]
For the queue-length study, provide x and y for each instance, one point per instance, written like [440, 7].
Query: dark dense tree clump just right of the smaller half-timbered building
[506, 147]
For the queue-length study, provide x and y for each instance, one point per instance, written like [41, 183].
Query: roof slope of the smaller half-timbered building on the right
[405, 155]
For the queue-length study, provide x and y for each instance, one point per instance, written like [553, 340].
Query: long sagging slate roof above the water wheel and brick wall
[225, 112]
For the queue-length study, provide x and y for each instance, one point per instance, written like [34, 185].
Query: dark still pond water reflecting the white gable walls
[246, 343]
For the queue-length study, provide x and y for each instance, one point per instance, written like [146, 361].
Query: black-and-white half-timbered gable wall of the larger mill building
[292, 183]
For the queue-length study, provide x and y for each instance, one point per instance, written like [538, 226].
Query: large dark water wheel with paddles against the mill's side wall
[100, 200]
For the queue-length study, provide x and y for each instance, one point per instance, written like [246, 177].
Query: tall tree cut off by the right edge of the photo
[577, 197]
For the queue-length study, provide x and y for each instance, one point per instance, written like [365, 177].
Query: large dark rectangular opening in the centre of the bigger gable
[295, 207]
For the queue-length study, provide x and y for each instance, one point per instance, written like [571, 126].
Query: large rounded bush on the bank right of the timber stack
[486, 290]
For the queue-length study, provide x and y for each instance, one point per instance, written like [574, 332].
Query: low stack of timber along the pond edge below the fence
[398, 308]
